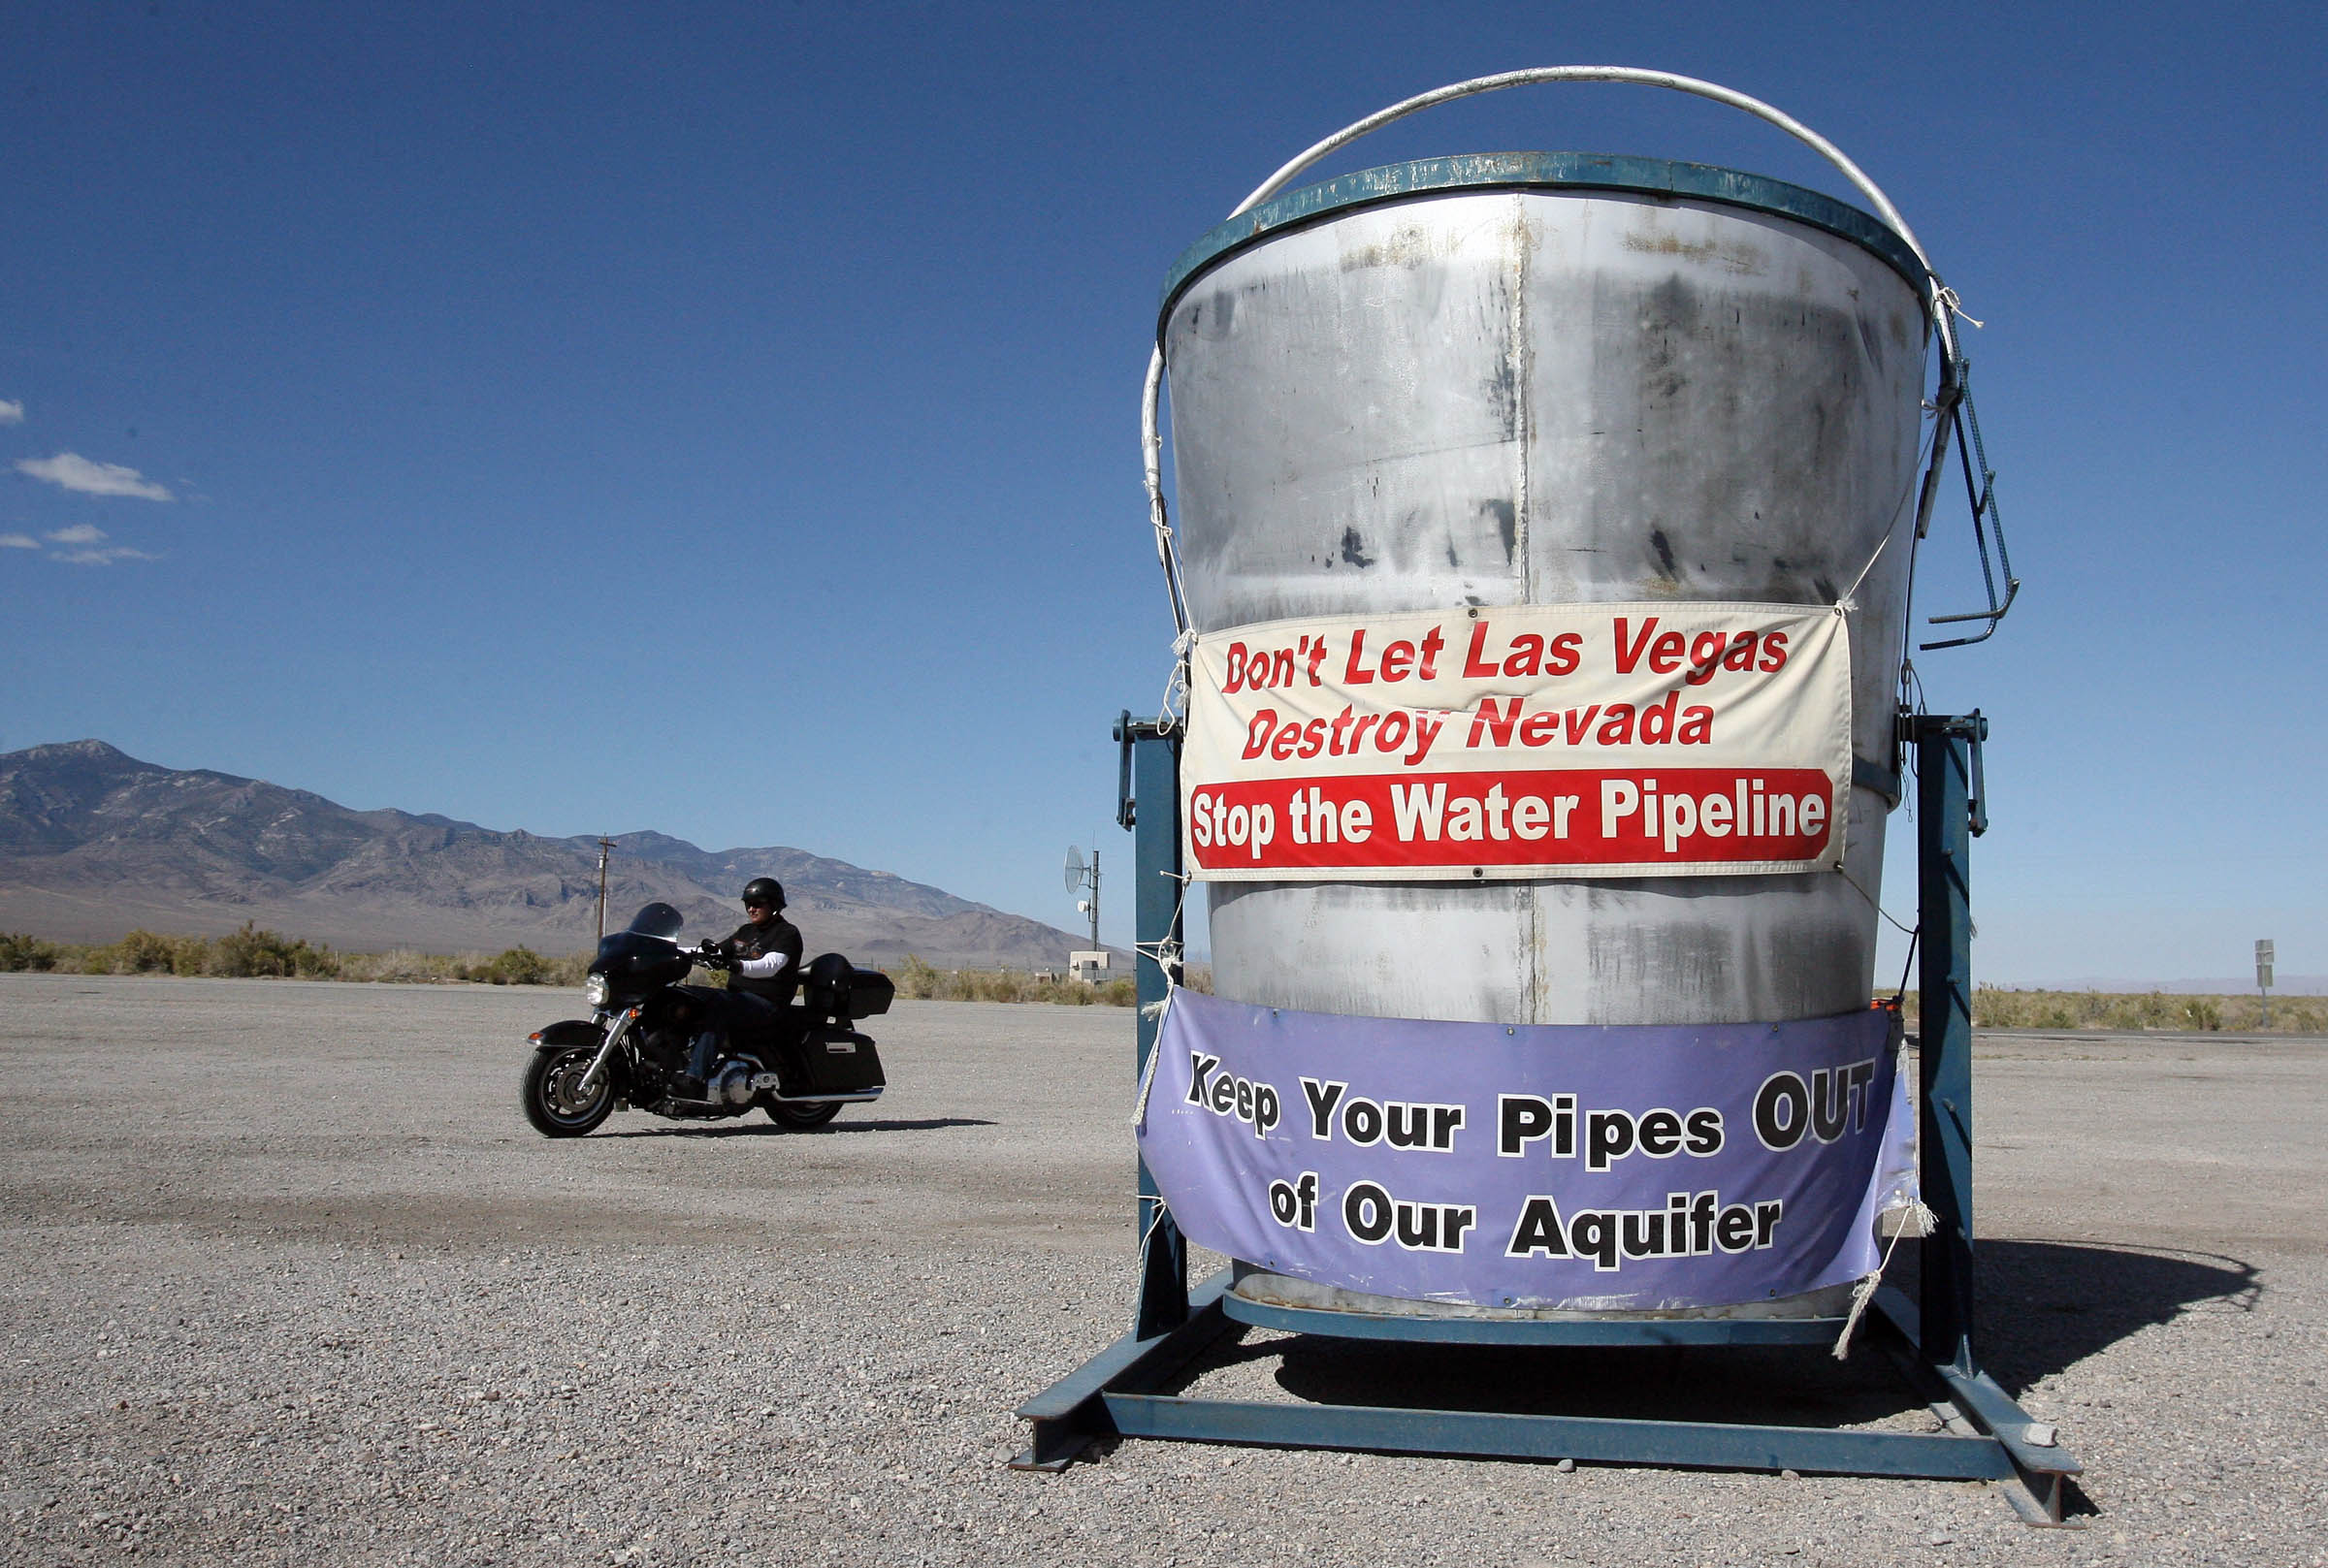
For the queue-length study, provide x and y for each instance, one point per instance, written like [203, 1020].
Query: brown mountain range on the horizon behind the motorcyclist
[94, 843]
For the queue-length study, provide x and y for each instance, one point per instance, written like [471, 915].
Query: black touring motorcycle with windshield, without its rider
[644, 1022]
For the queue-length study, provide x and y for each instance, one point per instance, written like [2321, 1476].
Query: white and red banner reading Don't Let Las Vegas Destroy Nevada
[1533, 741]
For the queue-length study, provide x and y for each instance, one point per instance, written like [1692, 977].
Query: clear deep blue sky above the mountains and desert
[725, 418]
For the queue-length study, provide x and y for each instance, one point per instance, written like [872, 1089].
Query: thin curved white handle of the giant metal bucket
[1943, 301]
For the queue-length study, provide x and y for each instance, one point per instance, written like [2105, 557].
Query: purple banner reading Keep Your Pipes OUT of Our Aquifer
[1535, 1167]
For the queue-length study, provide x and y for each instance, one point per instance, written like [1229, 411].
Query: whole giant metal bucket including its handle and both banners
[1542, 539]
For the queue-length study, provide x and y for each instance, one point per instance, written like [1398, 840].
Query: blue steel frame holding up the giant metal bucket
[1119, 1392]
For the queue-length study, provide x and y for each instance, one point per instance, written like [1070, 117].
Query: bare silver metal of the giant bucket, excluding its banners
[1531, 380]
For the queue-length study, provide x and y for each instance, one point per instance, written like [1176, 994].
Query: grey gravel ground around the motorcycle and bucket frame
[288, 1278]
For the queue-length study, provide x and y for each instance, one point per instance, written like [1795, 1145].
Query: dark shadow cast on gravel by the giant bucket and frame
[2043, 1309]
